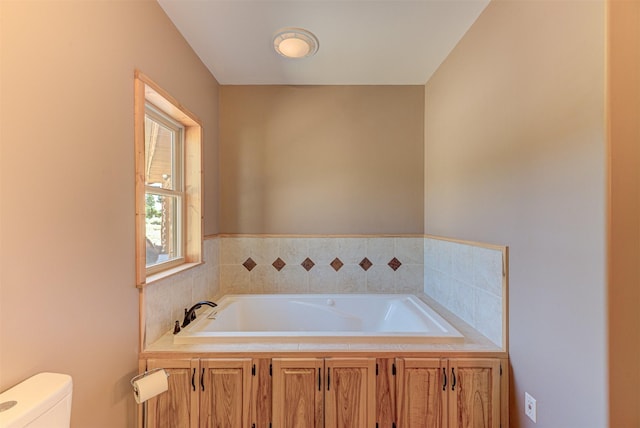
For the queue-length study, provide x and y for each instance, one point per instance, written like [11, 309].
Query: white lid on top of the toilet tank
[34, 396]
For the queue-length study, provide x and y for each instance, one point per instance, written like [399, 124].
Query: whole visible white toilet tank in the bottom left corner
[42, 401]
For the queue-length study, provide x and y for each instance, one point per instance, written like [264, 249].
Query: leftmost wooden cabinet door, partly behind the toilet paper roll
[178, 407]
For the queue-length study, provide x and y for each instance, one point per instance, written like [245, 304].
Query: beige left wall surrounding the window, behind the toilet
[68, 301]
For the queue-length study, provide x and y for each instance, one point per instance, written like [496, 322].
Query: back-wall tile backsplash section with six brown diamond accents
[321, 264]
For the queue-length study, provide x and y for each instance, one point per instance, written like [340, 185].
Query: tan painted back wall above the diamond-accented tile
[321, 159]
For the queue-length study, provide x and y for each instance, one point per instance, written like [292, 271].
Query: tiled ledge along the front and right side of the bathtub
[473, 344]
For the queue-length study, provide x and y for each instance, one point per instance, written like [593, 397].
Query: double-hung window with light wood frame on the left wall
[168, 184]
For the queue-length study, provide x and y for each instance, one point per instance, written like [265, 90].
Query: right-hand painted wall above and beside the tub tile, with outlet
[515, 155]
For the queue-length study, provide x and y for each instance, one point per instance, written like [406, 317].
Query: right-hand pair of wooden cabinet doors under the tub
[448, 393]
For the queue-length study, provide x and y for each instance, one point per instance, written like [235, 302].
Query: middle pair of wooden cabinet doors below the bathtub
[332, 393]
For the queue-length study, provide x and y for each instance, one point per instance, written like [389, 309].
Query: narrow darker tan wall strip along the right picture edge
[624, 215]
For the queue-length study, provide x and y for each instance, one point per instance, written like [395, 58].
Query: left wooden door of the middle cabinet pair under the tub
[297, 392]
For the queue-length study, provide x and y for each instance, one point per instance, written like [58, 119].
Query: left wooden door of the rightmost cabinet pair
[421, 391]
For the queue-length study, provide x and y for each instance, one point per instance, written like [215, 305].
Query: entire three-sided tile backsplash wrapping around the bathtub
[467, 279]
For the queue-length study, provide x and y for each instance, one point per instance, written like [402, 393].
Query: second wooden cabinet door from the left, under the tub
[225, 390]
